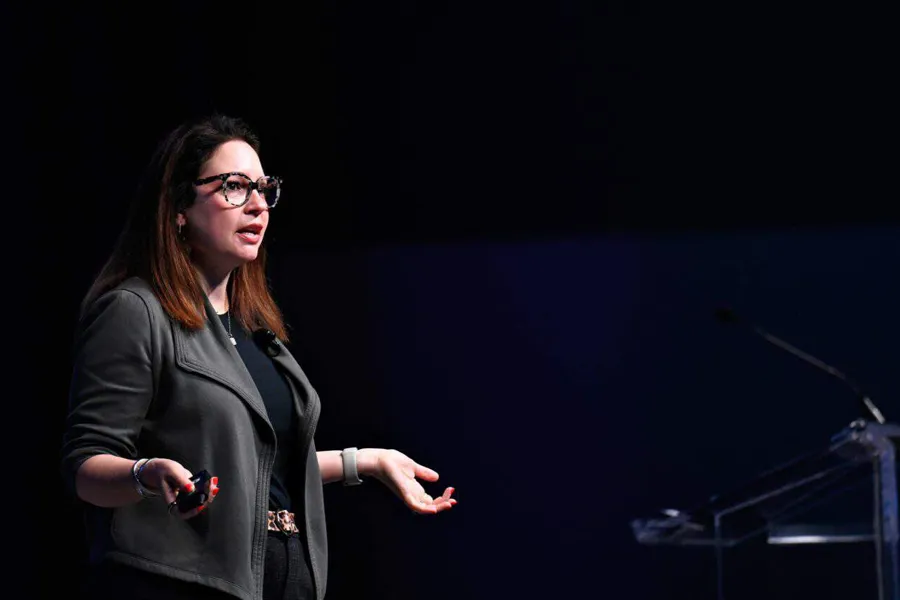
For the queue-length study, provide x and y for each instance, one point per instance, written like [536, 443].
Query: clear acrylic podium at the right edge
[799, 502]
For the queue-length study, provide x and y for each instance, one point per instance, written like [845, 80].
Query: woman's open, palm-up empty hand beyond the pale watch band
[399, 472]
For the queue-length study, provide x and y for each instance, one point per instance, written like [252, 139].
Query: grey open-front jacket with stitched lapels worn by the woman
[143, 386]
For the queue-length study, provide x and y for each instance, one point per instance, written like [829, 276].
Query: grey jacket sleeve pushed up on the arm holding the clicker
[112, 382]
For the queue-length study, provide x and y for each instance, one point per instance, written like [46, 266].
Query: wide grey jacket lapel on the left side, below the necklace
[210, 353]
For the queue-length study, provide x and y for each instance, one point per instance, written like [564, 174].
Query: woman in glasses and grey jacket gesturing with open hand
[180, 368]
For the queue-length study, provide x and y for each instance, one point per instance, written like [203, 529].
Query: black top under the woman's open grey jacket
[279, 405]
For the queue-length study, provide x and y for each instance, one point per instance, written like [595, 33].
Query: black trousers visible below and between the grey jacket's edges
[287, 577]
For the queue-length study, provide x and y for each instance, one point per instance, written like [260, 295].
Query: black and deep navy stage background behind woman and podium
[504, 229]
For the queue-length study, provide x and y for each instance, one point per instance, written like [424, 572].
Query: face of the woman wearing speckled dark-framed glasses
[223, 236]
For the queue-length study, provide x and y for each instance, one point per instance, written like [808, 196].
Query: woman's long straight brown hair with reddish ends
[150, 247]
